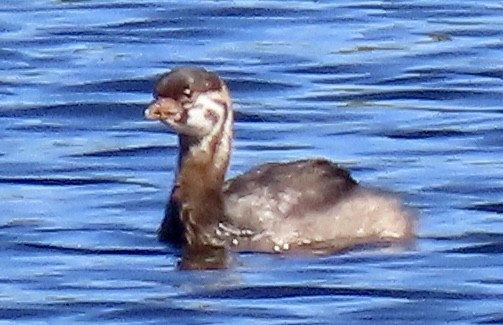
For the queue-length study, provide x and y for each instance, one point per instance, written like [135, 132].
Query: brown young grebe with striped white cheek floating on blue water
[306, 205]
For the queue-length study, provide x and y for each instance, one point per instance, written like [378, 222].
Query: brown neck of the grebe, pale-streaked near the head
[202, 165]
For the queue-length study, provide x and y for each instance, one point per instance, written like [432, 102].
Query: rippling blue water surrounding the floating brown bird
[406, 94]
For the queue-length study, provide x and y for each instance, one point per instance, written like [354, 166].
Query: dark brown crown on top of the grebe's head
[183, 82]
